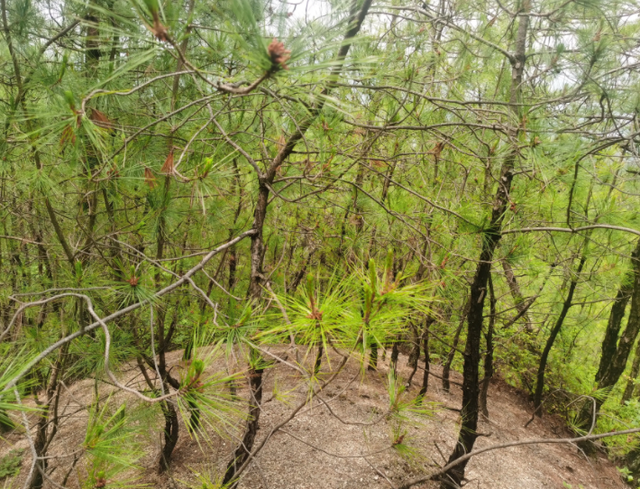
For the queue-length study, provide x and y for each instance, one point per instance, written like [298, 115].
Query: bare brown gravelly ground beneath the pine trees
[316, 450]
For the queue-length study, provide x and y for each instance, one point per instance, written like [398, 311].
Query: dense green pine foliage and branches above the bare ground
[126, 157]
